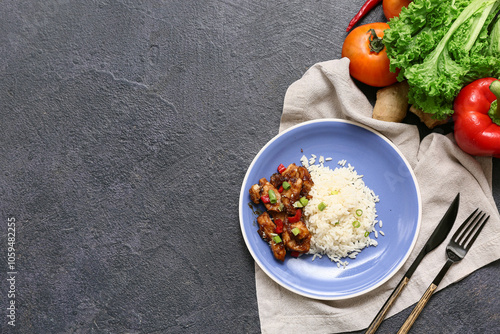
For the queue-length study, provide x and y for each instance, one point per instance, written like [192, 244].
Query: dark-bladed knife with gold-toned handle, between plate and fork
[437, 237]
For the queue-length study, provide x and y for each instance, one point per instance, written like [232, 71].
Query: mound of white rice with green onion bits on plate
[332, 230]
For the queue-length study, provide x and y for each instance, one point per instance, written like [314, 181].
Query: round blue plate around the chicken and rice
[384, 170]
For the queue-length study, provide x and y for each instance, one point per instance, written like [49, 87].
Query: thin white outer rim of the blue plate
[329, 297]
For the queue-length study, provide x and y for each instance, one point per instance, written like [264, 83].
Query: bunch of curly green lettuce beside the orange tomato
[440, 46]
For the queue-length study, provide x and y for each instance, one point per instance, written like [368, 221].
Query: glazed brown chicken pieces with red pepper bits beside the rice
[284, 196]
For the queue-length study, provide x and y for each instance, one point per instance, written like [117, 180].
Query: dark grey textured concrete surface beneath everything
[126, 131]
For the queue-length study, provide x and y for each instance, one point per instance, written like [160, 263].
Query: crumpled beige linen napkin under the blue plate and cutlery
[442, 170]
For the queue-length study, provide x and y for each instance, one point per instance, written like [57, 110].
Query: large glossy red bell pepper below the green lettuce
[477, 118]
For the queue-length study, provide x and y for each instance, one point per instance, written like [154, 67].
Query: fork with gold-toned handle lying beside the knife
[459, 245]
